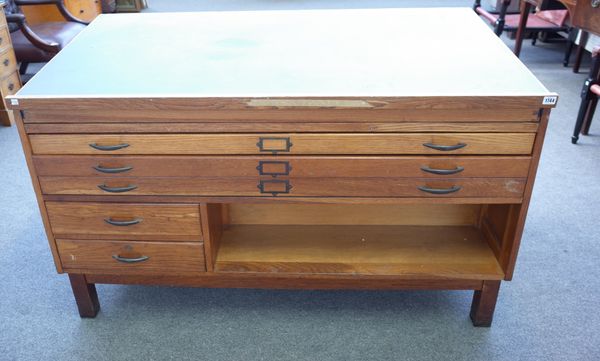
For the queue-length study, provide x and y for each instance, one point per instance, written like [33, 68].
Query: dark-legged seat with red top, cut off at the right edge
[589, 98]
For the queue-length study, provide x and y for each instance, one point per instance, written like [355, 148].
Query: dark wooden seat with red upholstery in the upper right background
[540, 21]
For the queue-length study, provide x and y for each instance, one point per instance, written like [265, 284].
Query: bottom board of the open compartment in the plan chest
[404, 251]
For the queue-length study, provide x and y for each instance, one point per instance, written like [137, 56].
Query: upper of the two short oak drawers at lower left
[75, 220]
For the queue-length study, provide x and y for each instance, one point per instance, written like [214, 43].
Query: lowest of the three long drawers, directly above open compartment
[298, 187]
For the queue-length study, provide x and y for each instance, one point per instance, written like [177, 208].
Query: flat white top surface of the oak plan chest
[320, 53]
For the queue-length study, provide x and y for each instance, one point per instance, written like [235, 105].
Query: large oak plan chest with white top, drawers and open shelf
[305, 149]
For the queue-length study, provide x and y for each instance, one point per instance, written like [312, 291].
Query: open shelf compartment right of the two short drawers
[408, 241]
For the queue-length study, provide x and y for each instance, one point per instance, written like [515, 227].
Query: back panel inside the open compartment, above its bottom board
[364, 214]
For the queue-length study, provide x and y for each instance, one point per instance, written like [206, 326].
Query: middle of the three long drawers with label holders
[279, 166]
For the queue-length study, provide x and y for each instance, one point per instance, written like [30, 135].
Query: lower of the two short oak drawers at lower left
[122, 257]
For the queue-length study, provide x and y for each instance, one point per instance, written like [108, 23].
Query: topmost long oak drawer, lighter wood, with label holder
[269, 144]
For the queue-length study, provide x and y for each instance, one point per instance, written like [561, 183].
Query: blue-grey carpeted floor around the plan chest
[549, 311]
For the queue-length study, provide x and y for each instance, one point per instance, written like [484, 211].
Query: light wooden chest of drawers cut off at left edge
[10, 81]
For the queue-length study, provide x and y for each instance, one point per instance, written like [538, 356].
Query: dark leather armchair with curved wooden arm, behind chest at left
[39, 43]
